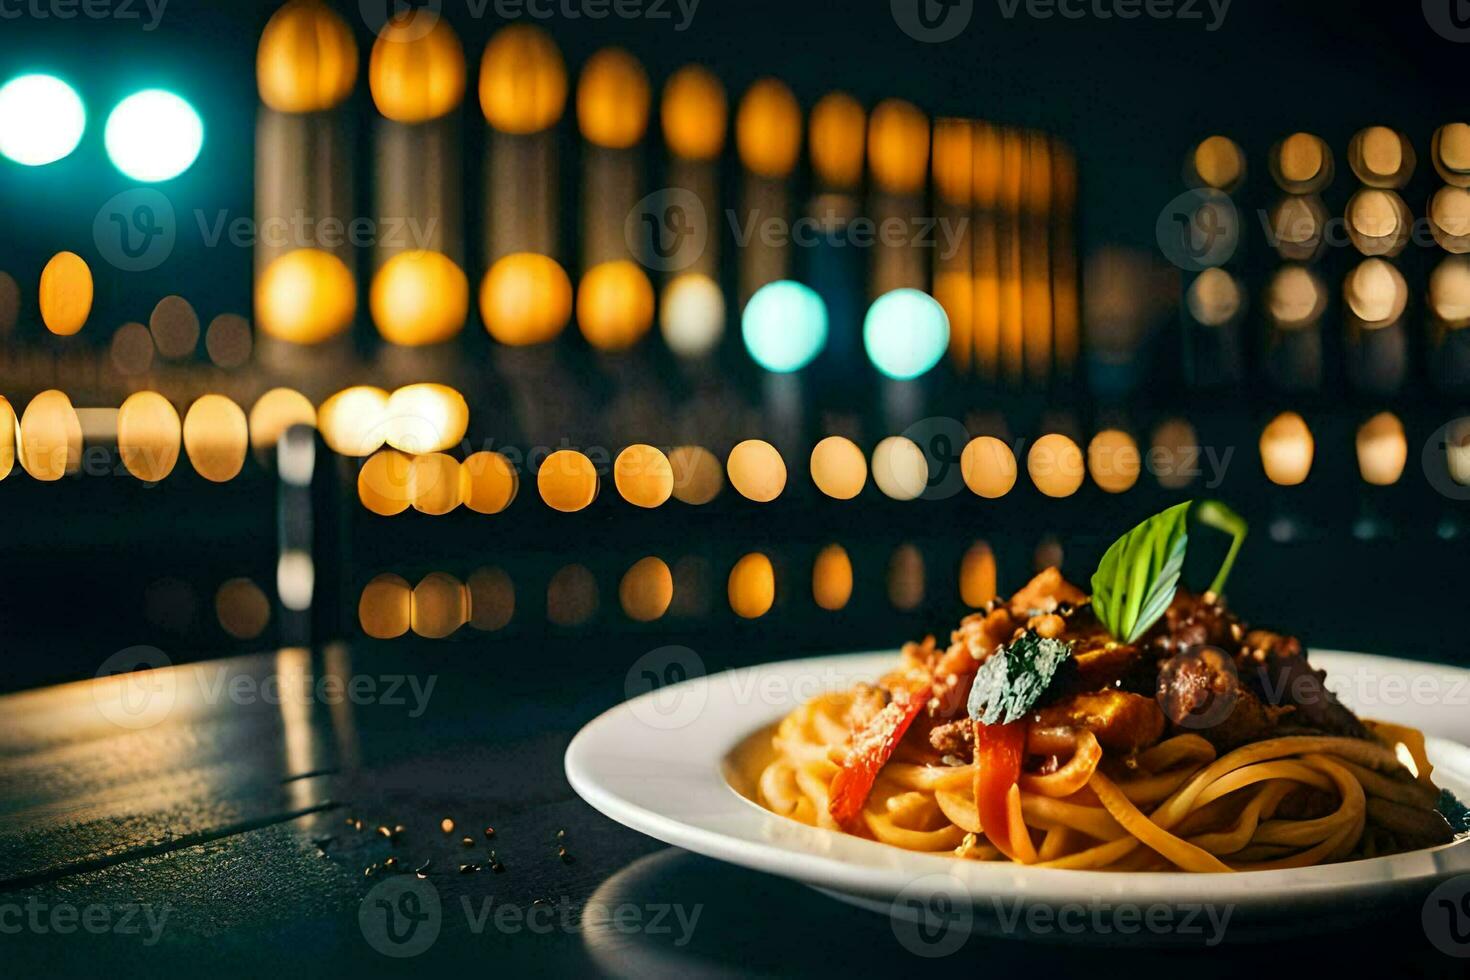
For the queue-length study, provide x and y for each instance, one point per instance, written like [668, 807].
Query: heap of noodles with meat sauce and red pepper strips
[1165, 754]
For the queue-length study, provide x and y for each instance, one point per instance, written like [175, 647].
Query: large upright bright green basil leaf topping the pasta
[1139, 577]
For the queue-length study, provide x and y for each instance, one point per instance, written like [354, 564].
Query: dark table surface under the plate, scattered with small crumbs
[214, 824]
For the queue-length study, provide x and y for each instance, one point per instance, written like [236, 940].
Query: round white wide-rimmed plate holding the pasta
[661, 765]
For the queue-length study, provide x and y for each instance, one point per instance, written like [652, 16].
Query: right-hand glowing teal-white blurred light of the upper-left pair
[154, 136]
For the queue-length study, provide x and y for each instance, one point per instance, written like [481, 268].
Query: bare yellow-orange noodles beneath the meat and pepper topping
[1177, 804]
